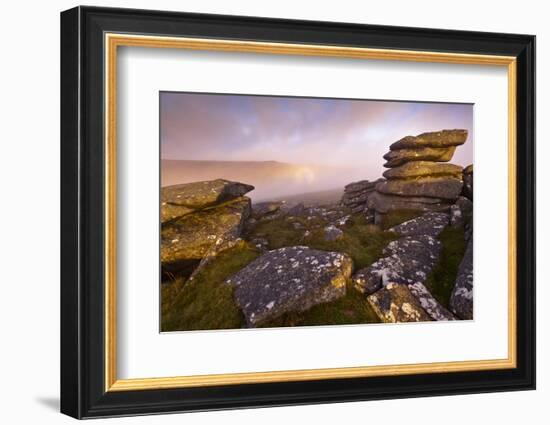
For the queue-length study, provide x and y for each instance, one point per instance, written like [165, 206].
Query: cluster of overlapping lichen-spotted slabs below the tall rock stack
[406, 263]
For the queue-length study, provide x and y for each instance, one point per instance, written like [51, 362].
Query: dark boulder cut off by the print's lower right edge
[462, 297]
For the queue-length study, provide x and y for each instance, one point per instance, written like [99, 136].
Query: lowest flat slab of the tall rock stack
[383, 203]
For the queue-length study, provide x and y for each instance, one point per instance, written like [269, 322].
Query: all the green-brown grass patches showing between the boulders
[207, 302]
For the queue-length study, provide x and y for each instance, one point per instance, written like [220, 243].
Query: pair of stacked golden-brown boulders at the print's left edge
[200, 219]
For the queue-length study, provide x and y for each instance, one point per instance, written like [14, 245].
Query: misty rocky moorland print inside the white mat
[279, 211]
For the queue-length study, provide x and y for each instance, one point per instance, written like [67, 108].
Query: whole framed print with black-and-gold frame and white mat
[261, 212]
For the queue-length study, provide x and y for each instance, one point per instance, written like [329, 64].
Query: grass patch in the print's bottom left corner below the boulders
[206, 302]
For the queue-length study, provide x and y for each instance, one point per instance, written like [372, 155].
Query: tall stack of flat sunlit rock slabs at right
[419, 177]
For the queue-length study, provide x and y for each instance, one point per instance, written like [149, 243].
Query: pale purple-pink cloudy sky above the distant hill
[314, 131]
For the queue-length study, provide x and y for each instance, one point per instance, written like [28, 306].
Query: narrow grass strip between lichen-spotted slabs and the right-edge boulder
[441, 280]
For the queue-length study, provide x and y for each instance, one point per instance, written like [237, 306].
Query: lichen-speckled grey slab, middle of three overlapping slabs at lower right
[407, 260]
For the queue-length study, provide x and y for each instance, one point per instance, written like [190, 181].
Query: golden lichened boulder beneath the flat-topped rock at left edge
[193, 235]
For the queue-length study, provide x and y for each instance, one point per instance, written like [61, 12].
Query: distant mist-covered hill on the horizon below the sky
[271, 179]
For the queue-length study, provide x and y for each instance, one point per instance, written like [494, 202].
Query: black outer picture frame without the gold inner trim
[83, 392]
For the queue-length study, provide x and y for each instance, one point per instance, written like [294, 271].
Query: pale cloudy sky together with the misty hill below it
[327, 142]
